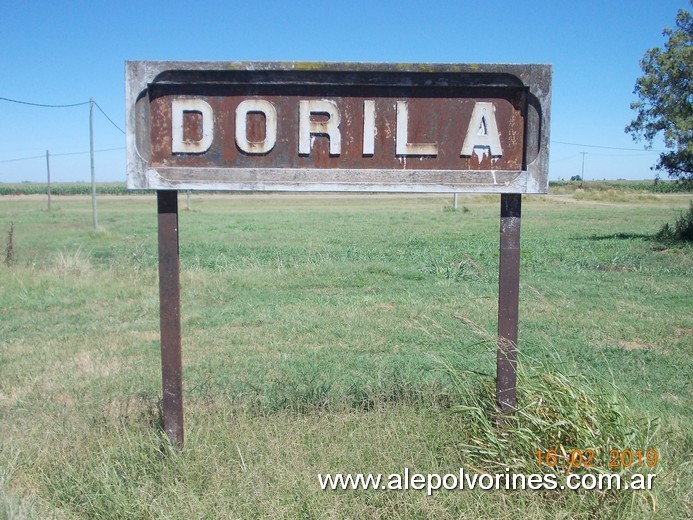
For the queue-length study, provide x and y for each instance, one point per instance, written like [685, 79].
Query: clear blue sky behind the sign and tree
[68, 52]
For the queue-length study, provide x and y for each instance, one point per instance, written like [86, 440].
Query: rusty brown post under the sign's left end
[169, 309]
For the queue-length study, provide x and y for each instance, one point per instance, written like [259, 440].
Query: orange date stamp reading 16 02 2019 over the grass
[589, 458]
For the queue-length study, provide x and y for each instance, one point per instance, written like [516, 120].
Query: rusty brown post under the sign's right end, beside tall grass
[508, 301]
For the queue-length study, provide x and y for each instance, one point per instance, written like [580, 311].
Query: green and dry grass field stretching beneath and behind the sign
[326, 334]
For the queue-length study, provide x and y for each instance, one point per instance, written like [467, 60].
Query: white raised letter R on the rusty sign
[308, 127]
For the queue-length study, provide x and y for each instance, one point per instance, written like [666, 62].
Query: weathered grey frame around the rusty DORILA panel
[145, 77]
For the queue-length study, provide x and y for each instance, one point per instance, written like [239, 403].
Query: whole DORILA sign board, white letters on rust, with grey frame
[338, 127]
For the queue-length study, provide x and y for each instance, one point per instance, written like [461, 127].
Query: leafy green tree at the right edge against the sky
[665, 99]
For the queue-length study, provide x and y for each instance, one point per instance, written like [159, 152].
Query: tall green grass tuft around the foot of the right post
[555, 411]
